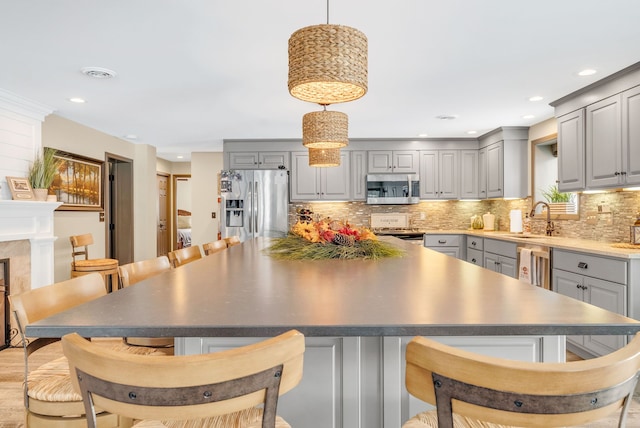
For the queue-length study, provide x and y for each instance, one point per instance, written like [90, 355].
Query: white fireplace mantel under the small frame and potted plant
[31, 220]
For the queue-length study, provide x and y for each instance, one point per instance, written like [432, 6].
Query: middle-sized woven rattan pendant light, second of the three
[325, 130]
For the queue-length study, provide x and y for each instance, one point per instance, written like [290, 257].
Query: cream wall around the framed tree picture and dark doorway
[72, 137]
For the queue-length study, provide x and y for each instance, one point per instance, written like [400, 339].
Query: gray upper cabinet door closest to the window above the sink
[571, 151]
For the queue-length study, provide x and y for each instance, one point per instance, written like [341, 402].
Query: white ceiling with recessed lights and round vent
[192, 73]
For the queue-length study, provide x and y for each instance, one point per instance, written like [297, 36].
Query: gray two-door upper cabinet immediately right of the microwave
[439, 177]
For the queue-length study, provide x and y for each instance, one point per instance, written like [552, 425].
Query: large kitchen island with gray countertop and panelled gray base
[357, 315]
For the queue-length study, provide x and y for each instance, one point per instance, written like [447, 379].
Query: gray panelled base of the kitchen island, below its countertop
[360, 381]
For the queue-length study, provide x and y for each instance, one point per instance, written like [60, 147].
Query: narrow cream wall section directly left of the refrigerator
[205, 168]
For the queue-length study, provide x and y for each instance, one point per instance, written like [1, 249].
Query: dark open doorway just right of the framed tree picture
[119, 209]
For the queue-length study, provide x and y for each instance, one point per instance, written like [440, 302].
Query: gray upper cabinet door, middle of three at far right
[604, 142]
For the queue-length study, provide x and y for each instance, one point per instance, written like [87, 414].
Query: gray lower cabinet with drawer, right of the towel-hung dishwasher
[600, 281]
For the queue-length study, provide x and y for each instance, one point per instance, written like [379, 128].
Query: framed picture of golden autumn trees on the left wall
[78, 183]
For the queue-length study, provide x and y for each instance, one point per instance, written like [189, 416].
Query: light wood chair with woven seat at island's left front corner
[49, 398]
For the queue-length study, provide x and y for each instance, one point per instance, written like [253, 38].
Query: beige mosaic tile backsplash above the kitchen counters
[613, 213]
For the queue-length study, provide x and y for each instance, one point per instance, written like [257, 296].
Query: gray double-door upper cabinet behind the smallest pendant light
[310, 183]
